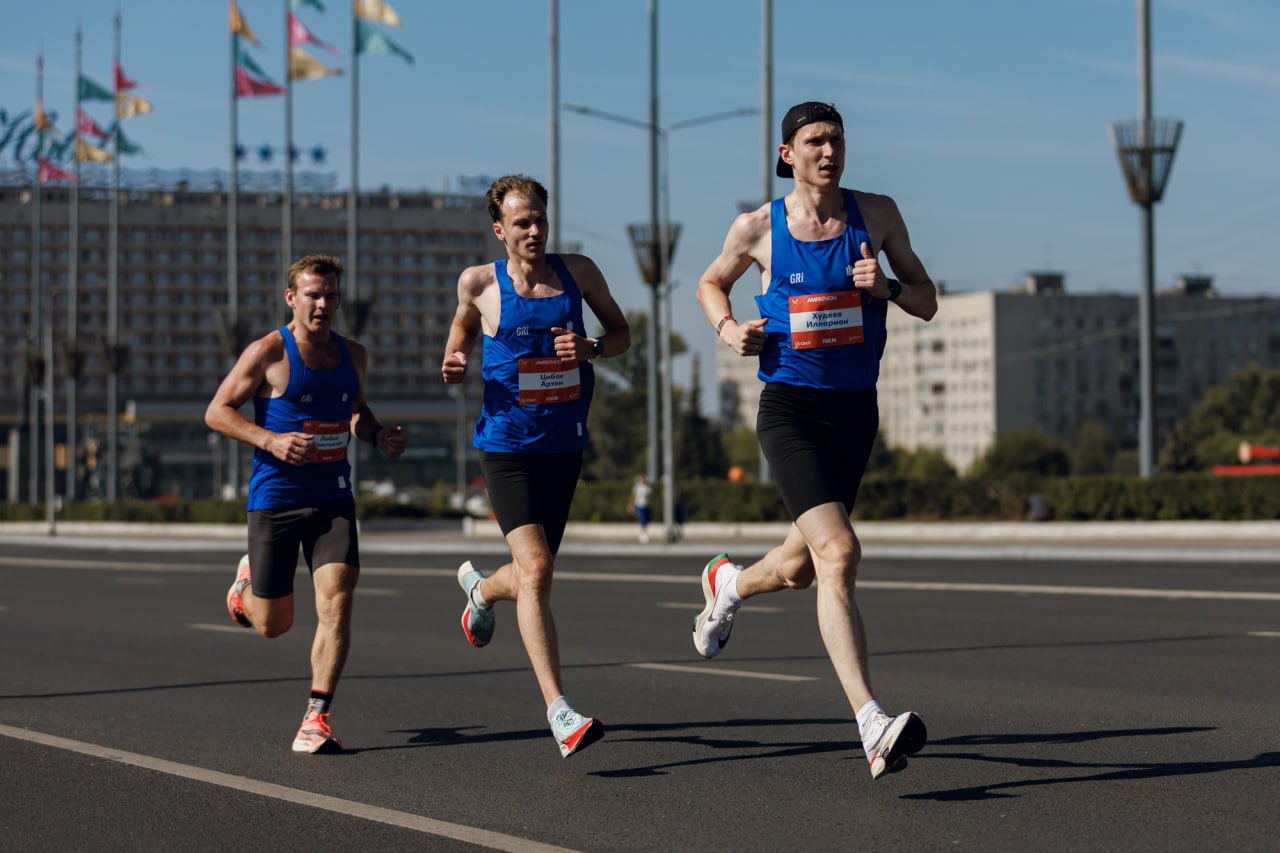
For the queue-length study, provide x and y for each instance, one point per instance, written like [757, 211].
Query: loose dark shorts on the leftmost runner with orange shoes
[327, 533]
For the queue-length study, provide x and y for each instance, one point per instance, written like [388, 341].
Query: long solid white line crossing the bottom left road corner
[405, 820]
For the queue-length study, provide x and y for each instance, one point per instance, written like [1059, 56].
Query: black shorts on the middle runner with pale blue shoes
[532, 489]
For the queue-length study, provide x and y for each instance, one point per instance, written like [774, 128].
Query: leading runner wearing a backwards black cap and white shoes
[820, 340]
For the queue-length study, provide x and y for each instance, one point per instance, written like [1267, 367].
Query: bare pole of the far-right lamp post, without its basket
[1146, 300]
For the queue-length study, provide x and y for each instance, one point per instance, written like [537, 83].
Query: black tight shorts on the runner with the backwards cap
[817, 443]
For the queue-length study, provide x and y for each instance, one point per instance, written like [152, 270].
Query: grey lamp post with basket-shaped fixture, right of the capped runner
[1146, 150]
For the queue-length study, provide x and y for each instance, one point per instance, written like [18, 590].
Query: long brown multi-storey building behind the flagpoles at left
[172, 302]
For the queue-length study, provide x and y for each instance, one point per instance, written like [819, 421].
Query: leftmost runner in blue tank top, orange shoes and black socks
[308, 386]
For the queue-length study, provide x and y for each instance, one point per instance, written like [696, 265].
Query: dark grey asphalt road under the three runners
[1104, 705]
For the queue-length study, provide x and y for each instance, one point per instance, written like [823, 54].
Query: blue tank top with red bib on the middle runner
[533, 402]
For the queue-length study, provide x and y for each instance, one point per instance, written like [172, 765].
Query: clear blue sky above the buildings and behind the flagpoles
[986, 121]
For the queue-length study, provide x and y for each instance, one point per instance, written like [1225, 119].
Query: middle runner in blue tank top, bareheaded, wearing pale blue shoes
[538, 385]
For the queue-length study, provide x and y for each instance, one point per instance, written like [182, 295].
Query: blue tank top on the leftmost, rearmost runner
[317, 403]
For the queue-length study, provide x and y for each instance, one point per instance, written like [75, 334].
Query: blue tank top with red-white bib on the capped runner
[821, 332]
